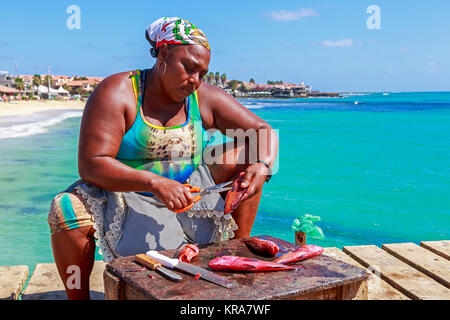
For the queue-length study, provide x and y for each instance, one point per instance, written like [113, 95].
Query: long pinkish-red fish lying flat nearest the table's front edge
[236, 263]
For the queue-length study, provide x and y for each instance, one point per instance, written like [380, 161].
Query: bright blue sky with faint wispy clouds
[326, 44]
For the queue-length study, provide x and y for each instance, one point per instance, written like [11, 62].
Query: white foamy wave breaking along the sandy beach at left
[33, 128]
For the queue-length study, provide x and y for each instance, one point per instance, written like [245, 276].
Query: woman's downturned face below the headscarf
[186, 67]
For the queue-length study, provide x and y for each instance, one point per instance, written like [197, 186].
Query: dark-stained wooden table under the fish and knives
[321, 277]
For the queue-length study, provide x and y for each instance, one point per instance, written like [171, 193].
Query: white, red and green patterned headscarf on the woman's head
[174, 31]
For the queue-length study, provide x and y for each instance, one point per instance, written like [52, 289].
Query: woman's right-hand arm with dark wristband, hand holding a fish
[223, 112]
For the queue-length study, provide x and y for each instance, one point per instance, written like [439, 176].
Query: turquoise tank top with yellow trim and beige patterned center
[172, 152]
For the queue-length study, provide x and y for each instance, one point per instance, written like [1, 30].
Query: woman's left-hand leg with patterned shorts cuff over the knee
[73, 243]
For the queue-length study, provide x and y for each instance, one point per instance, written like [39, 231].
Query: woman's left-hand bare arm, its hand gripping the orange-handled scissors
[109, 112]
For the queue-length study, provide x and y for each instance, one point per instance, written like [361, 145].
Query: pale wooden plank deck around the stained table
[400, 271]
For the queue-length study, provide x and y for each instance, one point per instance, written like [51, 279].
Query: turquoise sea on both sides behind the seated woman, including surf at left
[373, 166]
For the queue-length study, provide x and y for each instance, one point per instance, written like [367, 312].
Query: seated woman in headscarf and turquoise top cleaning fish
[143, 135]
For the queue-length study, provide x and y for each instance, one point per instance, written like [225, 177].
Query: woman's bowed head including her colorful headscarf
[183, 54]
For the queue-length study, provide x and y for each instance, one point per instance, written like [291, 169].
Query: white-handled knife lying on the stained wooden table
[189, 268]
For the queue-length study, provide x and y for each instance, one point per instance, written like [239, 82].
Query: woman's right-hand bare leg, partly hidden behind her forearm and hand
[229, 162]
